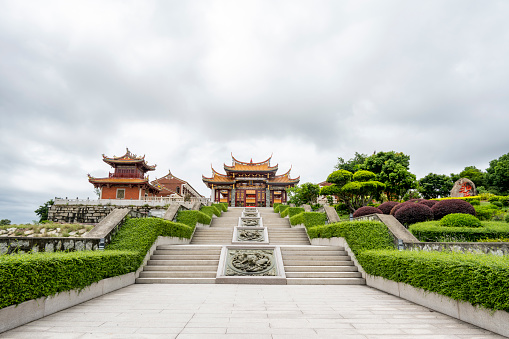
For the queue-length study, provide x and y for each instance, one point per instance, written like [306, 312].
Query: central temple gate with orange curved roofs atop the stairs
[249, 184]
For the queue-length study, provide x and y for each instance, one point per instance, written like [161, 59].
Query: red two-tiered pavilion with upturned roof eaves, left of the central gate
[128, 181]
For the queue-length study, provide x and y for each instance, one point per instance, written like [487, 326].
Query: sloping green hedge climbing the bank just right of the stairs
[360, 235]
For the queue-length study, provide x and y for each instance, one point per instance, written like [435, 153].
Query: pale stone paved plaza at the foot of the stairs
[248, 311]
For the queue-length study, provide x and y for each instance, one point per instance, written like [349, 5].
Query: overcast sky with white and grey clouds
[187, 83]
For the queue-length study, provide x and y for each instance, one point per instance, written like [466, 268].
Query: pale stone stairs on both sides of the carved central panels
[197, 262]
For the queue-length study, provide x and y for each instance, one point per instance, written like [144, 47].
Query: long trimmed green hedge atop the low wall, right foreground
[476, 278]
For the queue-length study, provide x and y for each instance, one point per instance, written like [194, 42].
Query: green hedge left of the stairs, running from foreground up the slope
[29, 276]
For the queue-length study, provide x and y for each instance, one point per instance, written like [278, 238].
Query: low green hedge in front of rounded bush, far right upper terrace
[431, 231]
